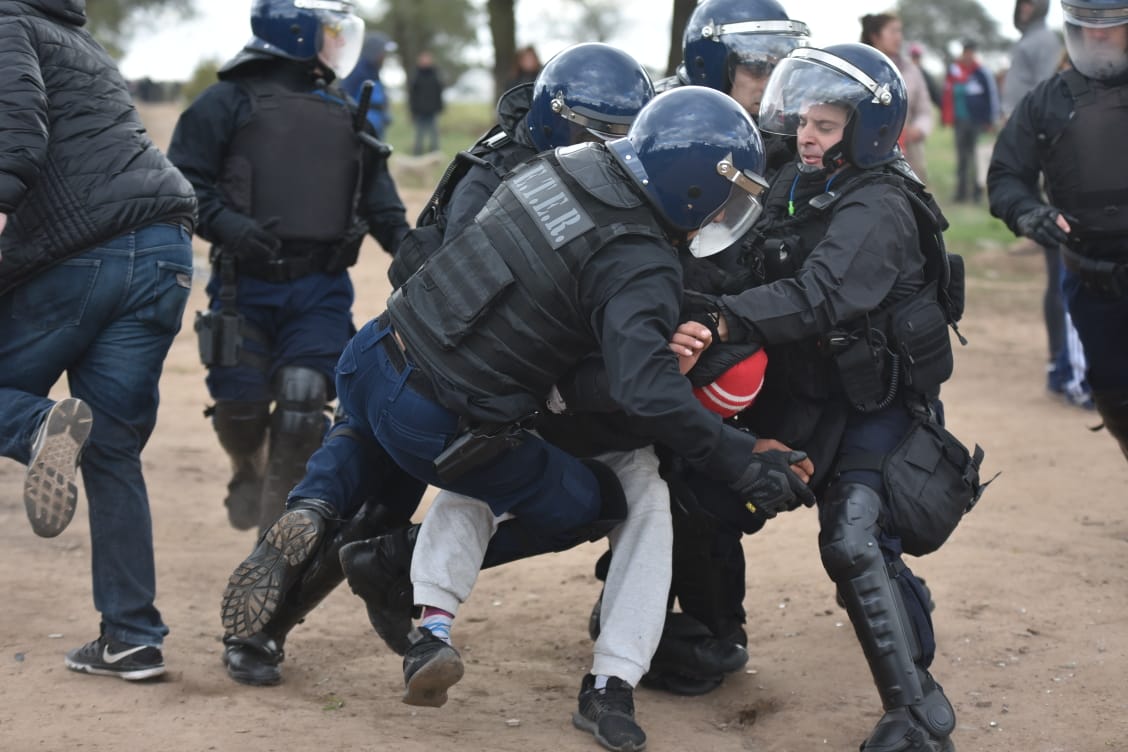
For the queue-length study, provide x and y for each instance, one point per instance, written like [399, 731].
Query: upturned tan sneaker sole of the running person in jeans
[50, 494]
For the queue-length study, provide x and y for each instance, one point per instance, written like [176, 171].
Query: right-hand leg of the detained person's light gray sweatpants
[638, 585]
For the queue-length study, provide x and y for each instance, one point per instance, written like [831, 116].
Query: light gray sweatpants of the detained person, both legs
[457, 529]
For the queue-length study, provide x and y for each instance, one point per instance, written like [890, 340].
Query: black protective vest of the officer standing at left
[296, 165]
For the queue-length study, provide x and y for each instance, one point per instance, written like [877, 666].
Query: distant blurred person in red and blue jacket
[972, 108]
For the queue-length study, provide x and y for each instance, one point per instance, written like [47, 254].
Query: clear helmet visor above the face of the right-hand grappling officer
[799, 83]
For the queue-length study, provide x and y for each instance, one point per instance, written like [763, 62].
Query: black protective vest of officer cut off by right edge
[1087, 165]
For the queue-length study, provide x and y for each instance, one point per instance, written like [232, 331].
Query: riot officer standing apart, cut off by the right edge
[1070, 129]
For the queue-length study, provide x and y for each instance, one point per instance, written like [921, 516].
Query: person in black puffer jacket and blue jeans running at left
[95, 272]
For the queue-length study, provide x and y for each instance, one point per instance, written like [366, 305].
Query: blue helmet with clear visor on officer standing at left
[328, 31]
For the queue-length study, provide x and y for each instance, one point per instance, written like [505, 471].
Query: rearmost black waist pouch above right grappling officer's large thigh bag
[919, 331]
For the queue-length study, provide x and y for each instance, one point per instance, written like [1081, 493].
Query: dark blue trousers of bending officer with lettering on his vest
[548, 489]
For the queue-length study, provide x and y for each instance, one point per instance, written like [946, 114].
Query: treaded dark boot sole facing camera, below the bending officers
[258, 587]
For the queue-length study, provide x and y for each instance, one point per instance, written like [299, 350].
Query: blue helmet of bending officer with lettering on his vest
[699, 158]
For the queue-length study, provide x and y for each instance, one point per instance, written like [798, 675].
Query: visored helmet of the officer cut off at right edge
[1095, 37]
